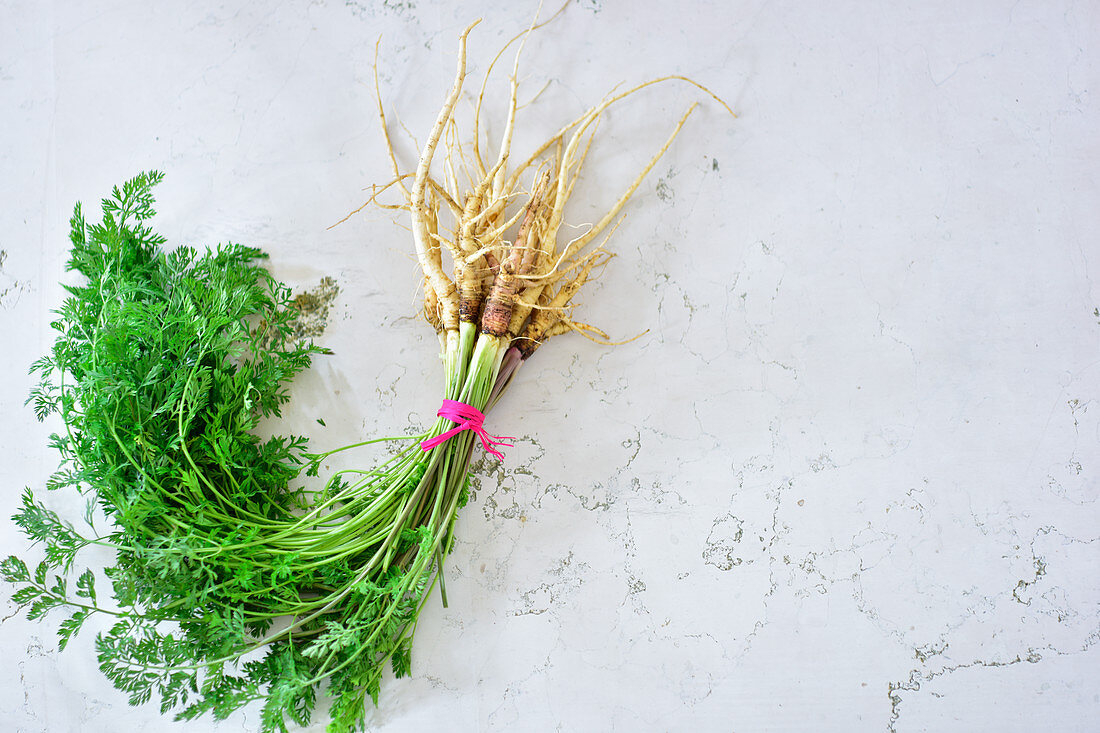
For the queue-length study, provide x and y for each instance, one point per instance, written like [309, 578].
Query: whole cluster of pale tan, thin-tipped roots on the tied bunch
[520, 290]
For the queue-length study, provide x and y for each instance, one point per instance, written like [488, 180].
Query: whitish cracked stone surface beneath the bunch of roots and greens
[848, 480]
